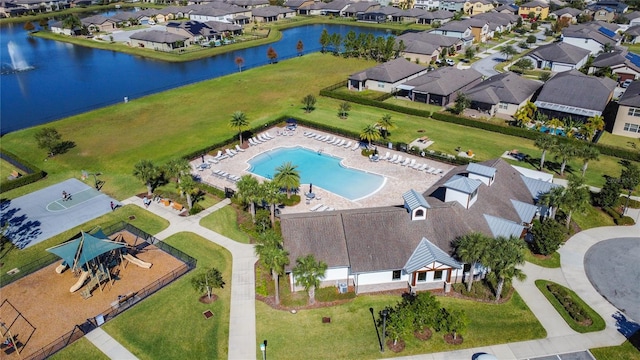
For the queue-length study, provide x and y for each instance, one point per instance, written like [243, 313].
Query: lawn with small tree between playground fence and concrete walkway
[170, 324]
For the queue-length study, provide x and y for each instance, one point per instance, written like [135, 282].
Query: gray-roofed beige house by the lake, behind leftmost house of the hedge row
[425, 47]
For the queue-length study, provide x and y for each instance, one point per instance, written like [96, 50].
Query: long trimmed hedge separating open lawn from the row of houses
[507, 130]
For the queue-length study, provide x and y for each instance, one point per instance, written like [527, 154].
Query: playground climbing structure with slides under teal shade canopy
[92, 256]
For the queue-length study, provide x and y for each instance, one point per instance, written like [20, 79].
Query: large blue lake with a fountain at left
[67, 79]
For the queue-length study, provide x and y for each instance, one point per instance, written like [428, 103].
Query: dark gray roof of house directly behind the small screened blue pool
[575, 89]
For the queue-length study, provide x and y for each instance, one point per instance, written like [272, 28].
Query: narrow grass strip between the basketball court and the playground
[144, 220]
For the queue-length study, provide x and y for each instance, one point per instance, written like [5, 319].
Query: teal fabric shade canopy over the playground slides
[76, 253]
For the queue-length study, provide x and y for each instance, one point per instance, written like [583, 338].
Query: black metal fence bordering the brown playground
[122, 304]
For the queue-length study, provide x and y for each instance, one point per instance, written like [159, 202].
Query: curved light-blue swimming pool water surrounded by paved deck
[319, 169]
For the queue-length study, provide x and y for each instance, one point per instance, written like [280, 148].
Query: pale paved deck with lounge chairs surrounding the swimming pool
[399, 179]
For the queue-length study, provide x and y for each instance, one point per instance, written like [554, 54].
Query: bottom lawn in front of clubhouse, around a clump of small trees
[351, 334]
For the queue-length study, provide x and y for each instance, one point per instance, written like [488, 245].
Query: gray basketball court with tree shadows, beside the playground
[42, 214]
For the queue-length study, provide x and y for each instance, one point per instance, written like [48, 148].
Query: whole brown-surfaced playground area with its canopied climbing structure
[41, 307]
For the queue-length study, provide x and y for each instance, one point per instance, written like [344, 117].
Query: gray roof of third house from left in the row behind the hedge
[506, 87]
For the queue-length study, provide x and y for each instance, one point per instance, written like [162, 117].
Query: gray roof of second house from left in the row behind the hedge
[444, 81]
